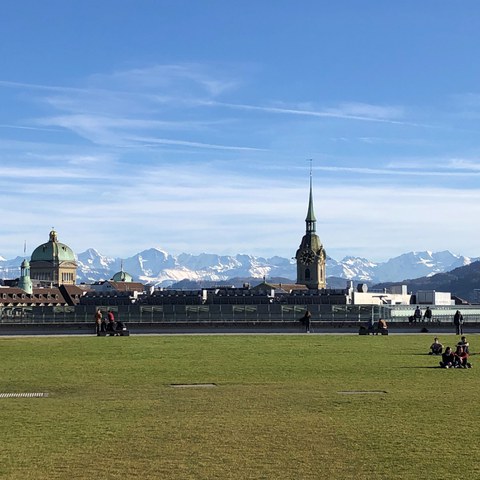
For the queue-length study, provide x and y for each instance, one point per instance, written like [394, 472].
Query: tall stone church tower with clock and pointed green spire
[311, 255]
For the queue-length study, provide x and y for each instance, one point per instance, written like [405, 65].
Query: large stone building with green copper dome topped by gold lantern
[53, 263]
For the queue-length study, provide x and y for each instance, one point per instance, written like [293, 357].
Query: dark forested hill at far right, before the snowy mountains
[461, 282]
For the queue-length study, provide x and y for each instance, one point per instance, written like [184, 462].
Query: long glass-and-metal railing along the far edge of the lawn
[264, 313]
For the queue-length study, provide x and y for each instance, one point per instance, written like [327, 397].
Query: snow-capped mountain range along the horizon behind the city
[159, 268]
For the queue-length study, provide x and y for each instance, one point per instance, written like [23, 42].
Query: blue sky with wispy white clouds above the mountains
[188, 125]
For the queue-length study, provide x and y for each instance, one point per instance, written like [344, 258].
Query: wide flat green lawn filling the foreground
[277, 410]
